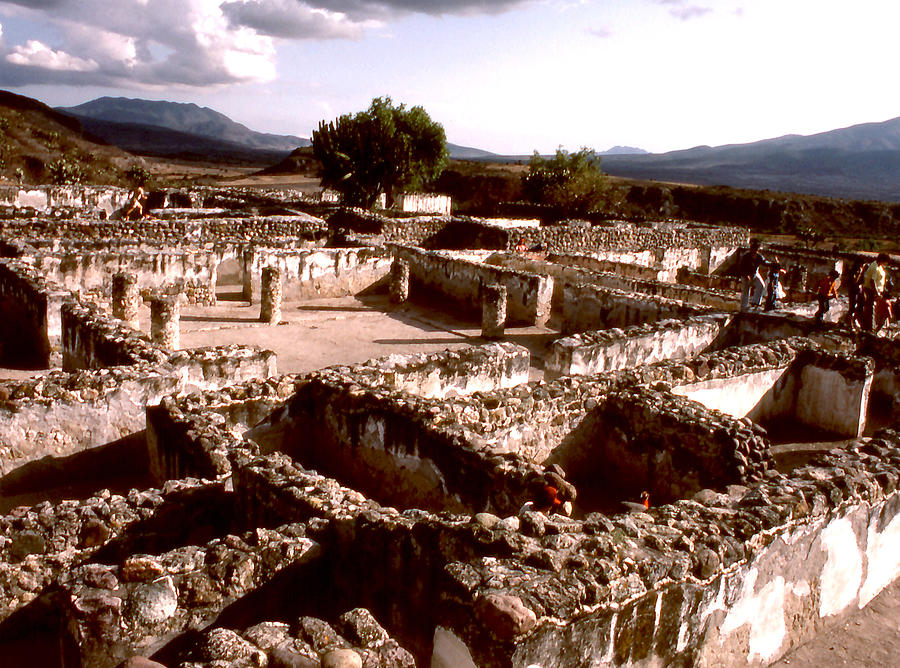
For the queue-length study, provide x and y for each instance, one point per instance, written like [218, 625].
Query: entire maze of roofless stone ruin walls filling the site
[200, 507]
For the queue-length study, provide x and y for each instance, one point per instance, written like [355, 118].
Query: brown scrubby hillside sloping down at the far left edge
[41, 145]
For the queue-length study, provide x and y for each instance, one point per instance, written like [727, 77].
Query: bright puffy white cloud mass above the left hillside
[138, 44]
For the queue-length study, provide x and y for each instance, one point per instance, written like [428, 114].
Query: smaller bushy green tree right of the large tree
[570, 182]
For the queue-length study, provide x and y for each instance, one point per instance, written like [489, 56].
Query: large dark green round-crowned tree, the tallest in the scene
[384, 149]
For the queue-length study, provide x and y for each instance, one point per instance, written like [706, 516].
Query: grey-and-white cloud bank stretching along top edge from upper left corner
[204, 42]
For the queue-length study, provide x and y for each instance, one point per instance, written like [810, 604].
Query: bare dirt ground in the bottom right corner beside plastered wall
[869, 638]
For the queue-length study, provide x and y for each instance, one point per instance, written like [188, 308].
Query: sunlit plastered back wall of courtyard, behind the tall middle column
[314, 273]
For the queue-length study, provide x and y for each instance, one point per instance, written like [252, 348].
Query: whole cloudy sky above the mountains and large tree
[509, 76]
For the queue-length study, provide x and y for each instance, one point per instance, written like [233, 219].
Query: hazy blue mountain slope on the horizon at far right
[858, 162]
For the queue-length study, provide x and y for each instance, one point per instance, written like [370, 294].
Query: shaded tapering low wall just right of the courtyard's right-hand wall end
[589, 307]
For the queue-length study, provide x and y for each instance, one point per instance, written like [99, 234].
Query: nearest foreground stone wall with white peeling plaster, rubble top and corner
[710, 581]
